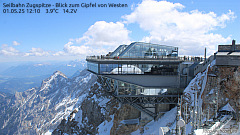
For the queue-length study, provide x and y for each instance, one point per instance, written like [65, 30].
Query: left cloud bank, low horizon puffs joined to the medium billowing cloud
[100, 38]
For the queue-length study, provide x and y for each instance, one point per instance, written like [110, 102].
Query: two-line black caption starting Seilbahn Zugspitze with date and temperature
[34, 8]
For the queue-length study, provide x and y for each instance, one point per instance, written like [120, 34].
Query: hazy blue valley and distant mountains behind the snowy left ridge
[28, 75]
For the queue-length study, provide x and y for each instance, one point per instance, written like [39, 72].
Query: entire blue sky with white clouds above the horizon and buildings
[190, 25]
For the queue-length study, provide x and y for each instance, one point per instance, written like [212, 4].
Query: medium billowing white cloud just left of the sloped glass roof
[100, 38]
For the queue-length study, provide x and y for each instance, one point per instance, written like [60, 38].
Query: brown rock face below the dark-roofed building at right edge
[223, 85]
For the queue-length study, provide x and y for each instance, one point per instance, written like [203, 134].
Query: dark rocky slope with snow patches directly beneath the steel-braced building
[99, 113]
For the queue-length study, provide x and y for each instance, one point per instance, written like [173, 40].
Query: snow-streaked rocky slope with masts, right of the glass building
[215, 88]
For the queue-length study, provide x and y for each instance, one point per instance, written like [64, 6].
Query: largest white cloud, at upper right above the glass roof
[168, 24]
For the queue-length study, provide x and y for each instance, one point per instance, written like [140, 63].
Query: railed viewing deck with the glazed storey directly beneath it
[108, 65]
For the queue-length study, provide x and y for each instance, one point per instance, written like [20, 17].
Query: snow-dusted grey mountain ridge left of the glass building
[39, 110]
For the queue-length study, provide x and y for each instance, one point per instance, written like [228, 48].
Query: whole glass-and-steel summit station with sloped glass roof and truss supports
[149, 77]
